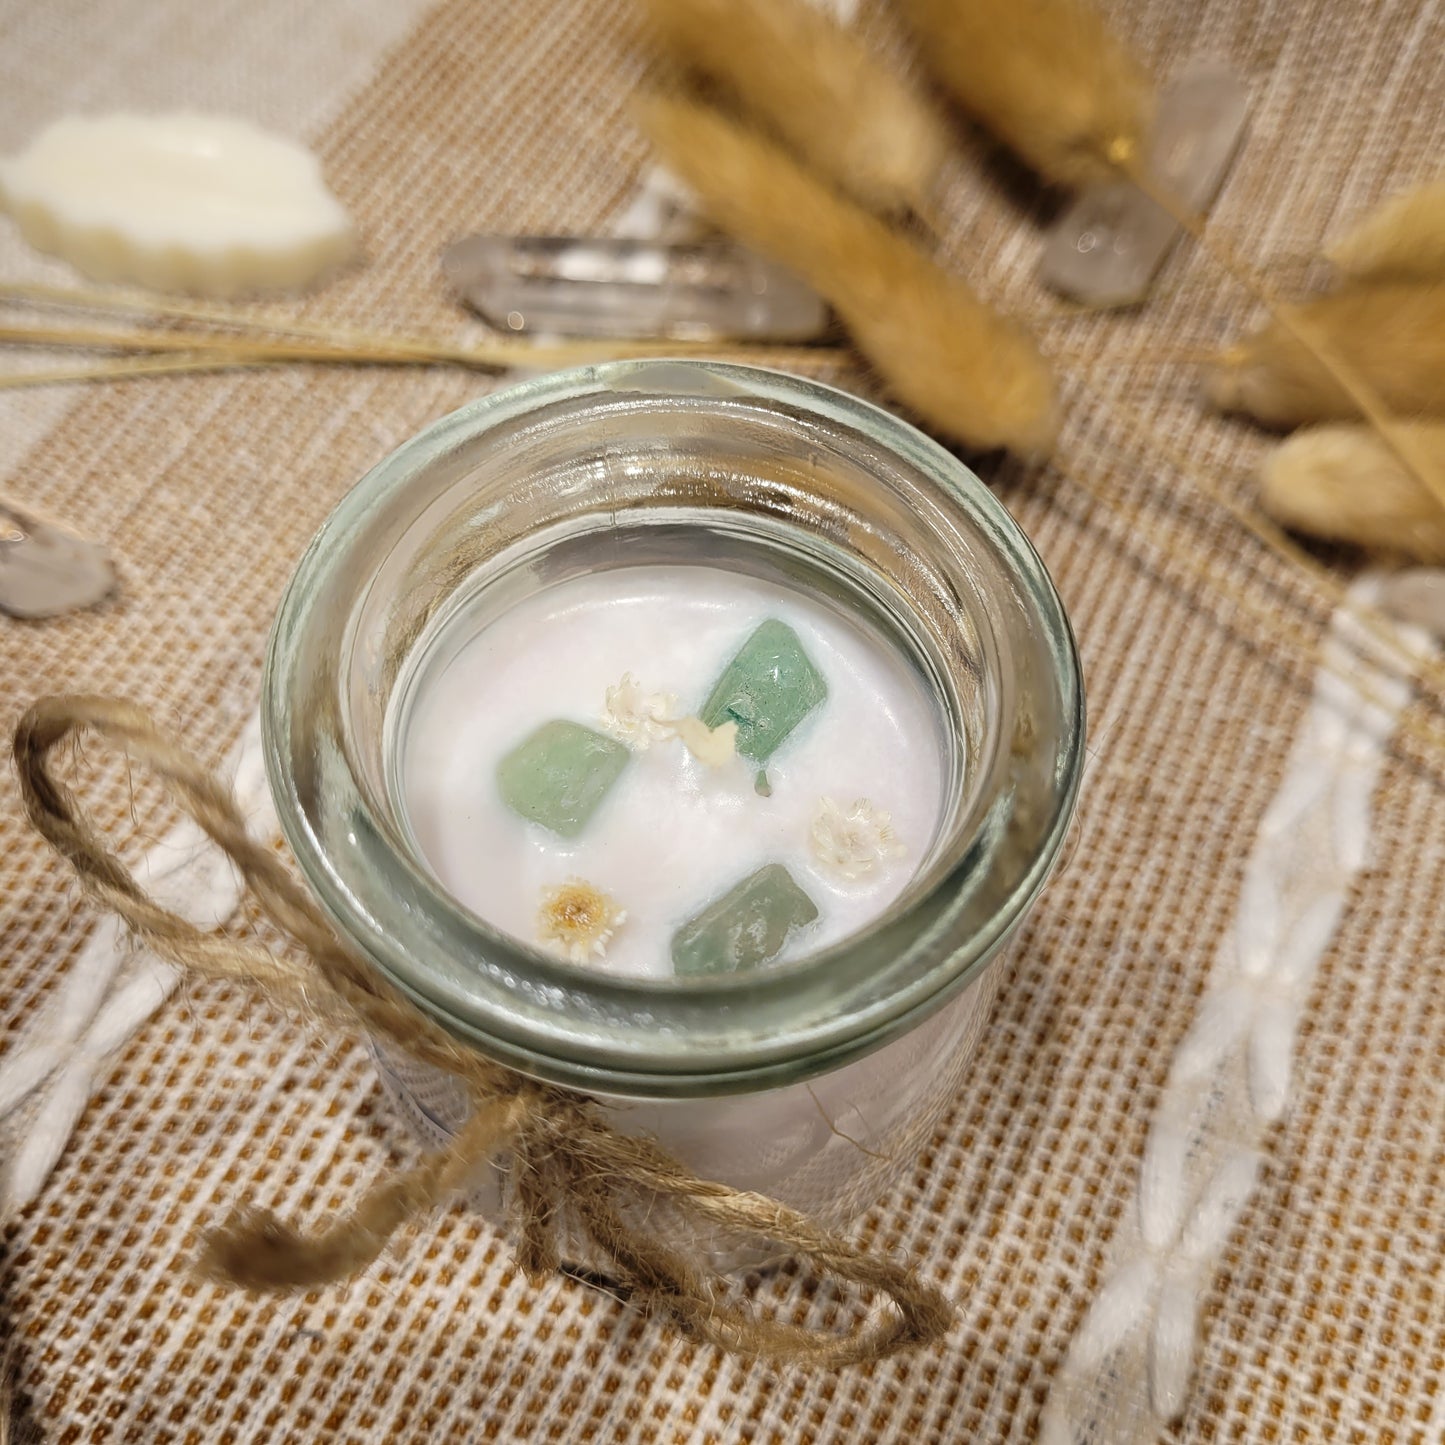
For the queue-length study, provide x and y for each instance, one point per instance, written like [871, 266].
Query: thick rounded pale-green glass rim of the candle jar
[595, 1030]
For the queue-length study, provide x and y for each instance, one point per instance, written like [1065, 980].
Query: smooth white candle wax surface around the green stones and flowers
[673, 834]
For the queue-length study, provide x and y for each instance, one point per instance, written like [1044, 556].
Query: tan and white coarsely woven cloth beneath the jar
[1327, 1323]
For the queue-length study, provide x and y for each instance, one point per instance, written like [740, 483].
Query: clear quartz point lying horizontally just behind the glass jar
[603, 287]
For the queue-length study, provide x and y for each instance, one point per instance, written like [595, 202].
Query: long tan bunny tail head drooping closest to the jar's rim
[966, 371]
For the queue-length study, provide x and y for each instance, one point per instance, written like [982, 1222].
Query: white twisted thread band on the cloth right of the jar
[1202, 1164]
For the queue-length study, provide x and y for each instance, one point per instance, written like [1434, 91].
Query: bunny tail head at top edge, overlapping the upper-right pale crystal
[1047, 77]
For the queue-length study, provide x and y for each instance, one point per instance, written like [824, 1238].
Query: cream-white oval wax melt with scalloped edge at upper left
[177, 203]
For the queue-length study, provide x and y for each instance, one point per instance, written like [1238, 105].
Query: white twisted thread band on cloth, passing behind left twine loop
[113, 989]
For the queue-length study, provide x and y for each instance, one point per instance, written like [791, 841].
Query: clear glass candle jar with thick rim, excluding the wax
[816, 1080]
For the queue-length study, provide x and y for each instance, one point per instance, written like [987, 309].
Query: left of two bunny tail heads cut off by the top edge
[820, 89]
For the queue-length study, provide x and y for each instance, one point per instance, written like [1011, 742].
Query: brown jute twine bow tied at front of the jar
[566, 1160]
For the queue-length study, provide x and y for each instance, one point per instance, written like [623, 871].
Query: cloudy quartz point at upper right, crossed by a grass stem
[1108, 248]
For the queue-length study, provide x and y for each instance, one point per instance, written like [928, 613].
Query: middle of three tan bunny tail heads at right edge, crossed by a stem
[1392, 336]
